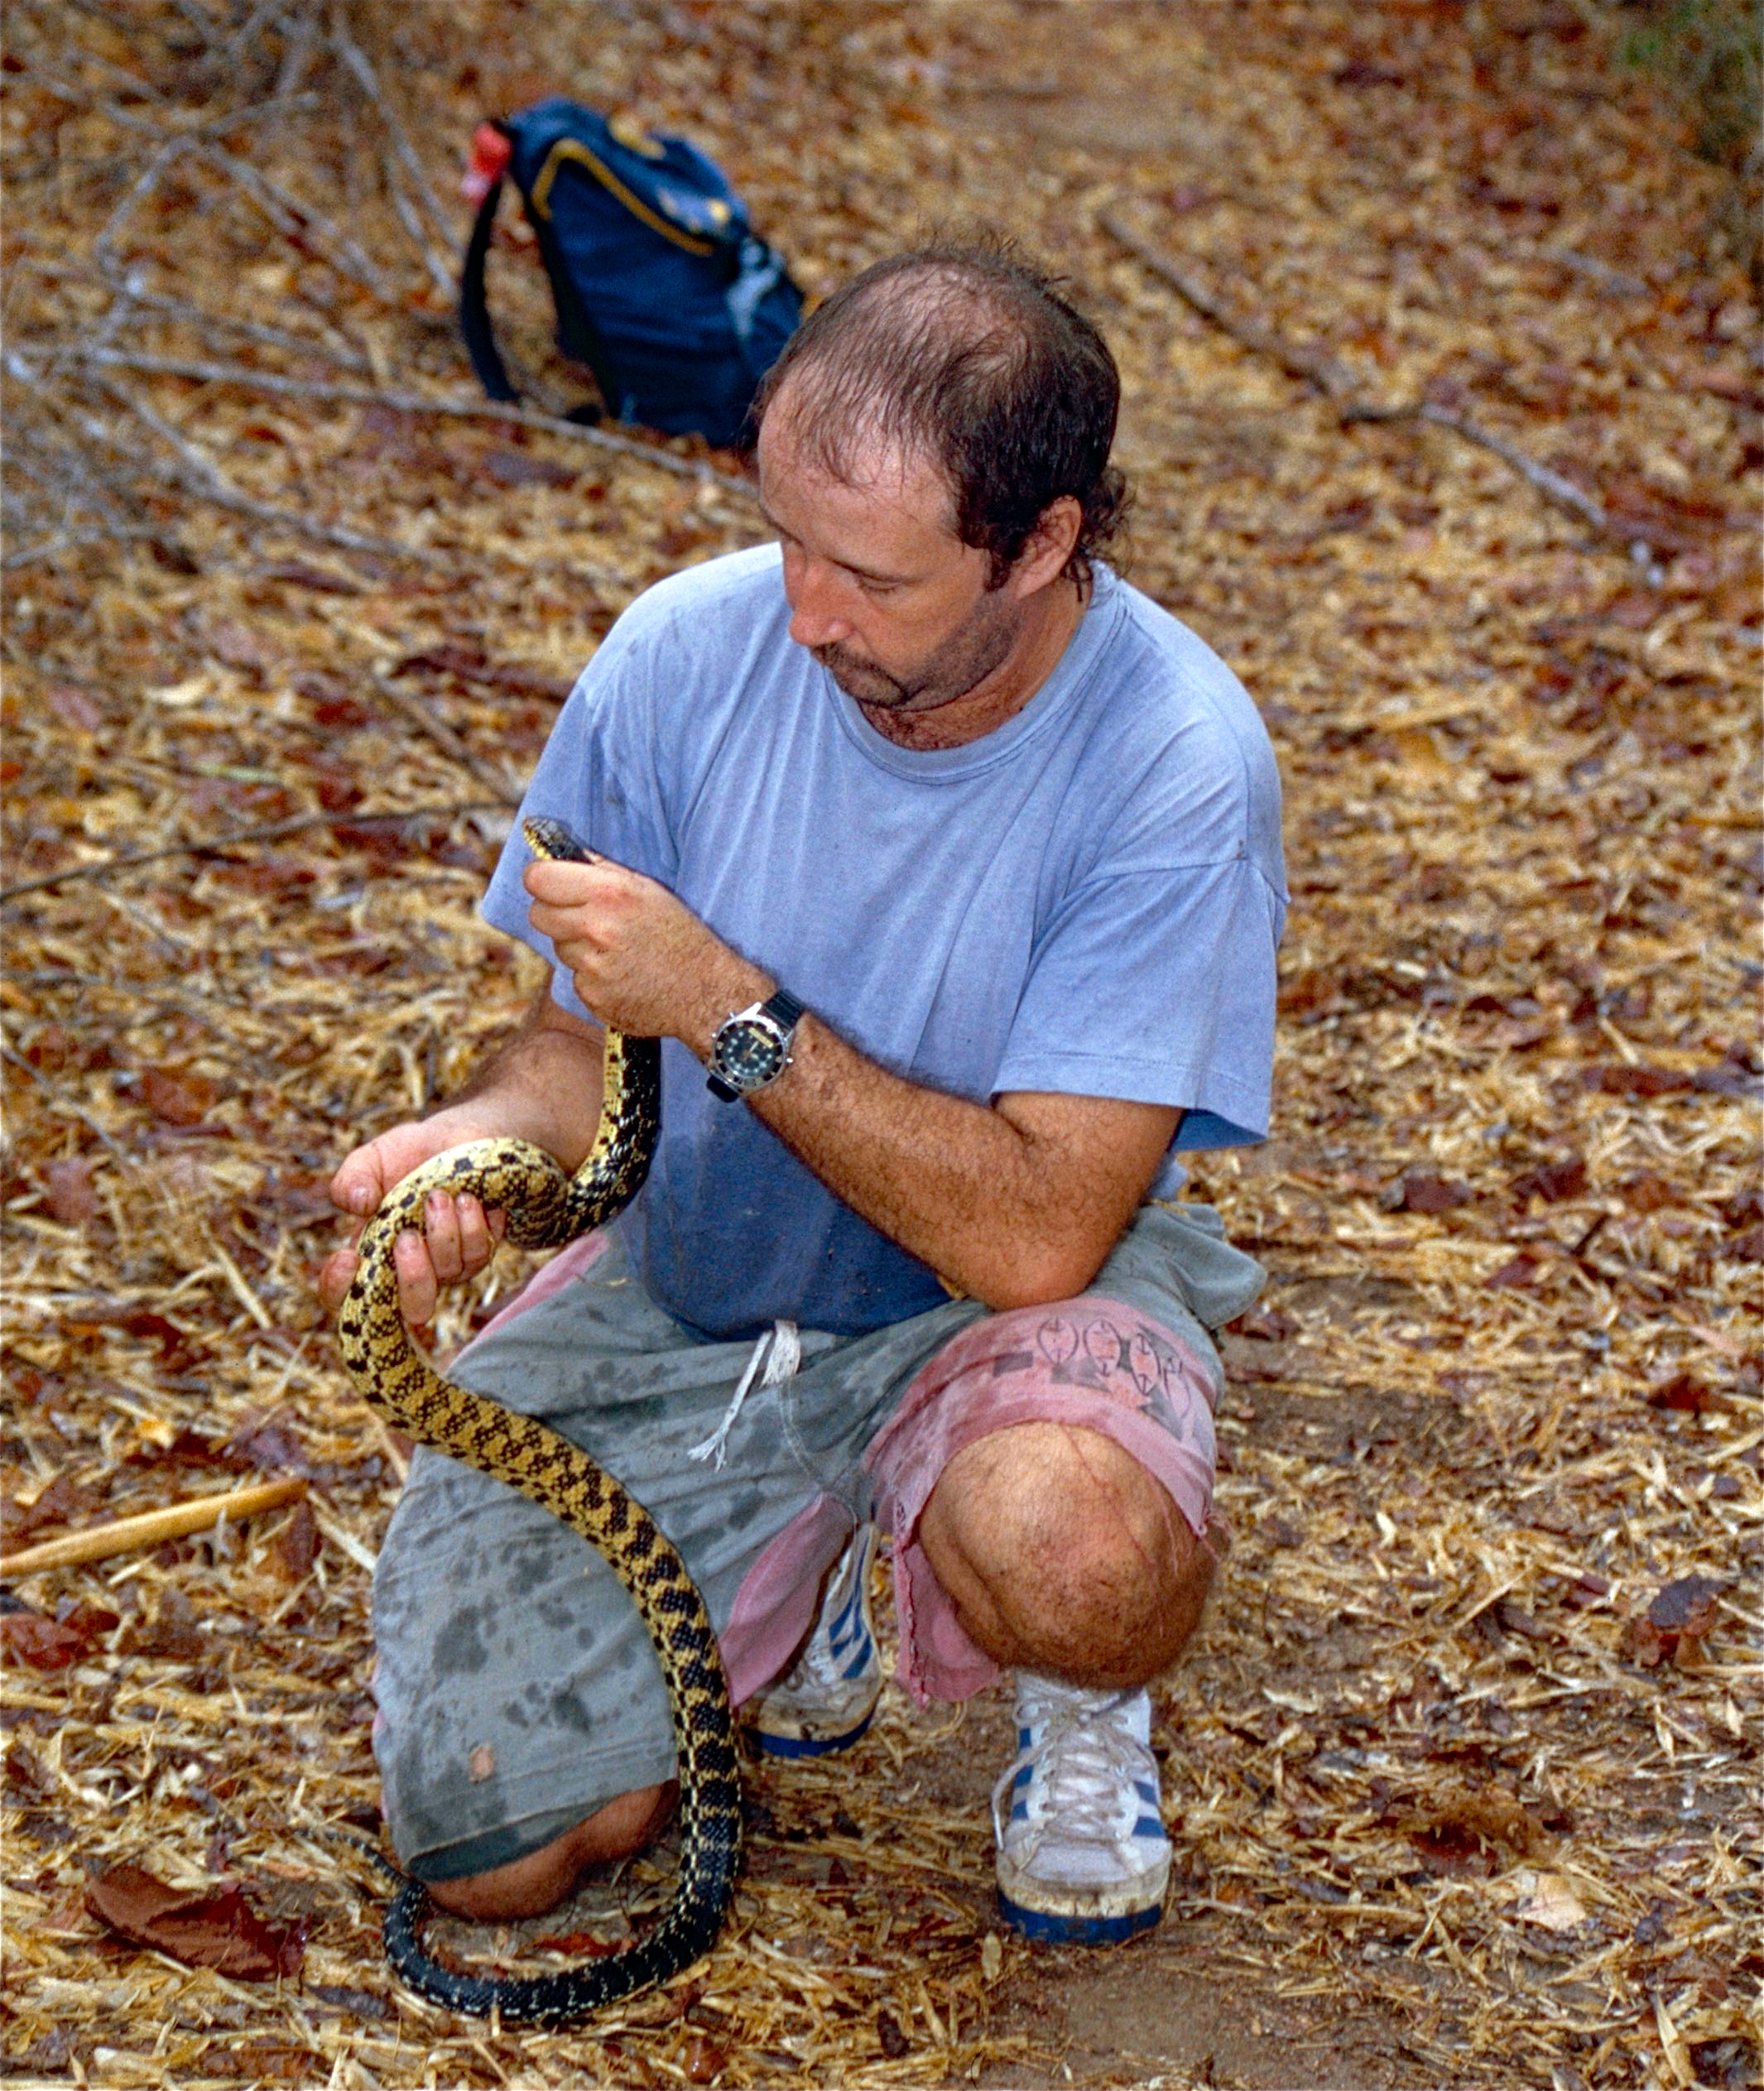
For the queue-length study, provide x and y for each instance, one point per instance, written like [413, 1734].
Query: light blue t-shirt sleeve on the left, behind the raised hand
[599, 777]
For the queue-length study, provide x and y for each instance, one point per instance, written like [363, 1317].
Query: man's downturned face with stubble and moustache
[881, 589]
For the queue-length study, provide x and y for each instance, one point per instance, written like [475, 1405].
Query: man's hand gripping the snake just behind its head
[639, 957]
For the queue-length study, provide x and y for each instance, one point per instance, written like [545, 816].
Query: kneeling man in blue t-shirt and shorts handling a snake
[956, 863]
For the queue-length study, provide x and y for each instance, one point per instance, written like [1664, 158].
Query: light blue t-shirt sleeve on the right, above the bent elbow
[1159, 988]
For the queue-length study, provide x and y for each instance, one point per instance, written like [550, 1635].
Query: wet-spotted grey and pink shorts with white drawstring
[517, 1688]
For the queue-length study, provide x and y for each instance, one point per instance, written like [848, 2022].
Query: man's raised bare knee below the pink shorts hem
[1063, 1553]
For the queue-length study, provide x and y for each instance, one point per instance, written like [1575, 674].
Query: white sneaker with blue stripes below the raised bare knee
[1084, 1858]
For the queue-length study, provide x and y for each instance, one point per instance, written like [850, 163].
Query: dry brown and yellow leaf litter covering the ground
[1462, 1770]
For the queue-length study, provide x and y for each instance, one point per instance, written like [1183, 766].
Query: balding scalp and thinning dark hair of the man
[965, 359]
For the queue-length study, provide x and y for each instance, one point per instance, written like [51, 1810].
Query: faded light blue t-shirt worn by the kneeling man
[1086, 900]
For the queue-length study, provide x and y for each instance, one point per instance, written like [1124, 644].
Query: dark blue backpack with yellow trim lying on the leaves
[661, 288]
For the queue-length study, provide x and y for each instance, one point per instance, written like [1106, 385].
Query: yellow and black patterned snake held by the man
[549, 1208]
